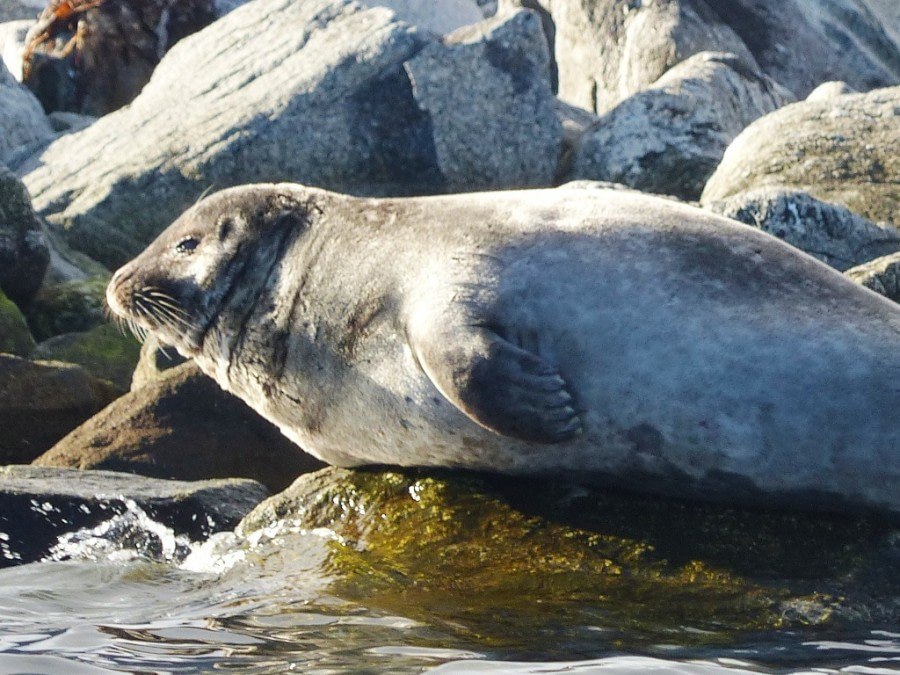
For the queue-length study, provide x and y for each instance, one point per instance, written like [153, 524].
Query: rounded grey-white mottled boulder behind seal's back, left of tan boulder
[670, 137]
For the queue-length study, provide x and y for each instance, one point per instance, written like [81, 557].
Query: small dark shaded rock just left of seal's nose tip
[67, 307]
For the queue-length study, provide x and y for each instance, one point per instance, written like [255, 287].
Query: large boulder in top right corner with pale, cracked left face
[607, 50]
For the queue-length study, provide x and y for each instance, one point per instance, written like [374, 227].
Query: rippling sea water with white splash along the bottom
[129, 596]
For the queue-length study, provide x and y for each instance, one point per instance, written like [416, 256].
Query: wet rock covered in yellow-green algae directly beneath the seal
[474, 553]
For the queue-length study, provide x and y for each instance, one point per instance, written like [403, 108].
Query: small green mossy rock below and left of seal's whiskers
[105, 352]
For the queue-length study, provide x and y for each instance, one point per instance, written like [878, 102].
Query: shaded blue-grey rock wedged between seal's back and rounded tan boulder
[830, 232]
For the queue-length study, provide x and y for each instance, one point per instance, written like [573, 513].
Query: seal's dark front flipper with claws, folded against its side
[501, 386]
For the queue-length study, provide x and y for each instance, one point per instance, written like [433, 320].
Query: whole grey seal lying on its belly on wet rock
[617, 337]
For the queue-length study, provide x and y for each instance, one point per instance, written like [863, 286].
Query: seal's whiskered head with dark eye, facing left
[213, 260]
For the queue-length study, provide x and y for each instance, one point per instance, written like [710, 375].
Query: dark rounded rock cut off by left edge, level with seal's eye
[24, 254]
